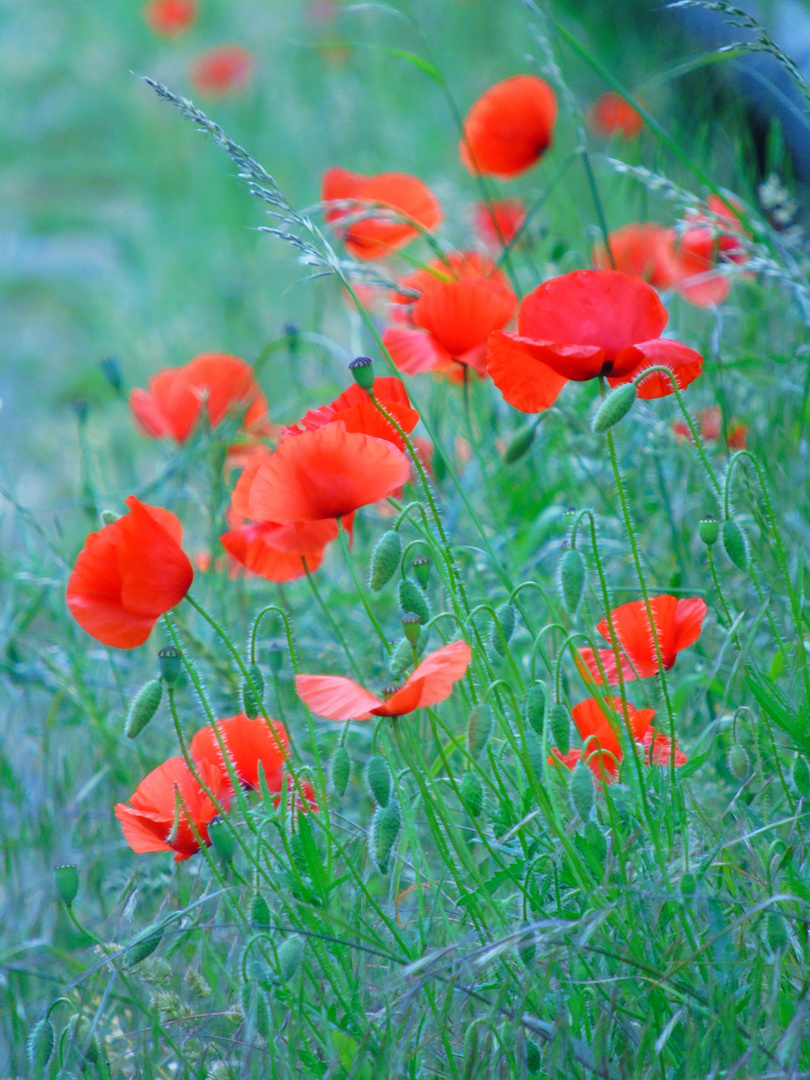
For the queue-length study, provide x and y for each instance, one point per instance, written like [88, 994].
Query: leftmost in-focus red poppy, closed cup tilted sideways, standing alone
[129, 575]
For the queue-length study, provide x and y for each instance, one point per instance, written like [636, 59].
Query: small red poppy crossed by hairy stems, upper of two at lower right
[678, 626]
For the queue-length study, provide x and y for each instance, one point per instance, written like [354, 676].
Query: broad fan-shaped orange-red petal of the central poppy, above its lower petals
[326, 474]
